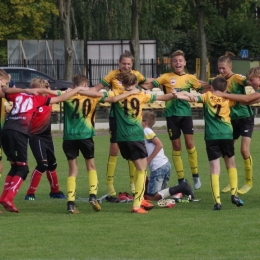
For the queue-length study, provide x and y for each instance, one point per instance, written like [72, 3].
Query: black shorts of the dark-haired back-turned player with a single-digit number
[217, 148]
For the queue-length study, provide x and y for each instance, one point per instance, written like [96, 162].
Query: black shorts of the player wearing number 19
[133, 150]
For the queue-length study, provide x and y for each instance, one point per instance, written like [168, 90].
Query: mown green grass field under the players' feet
[44, 230]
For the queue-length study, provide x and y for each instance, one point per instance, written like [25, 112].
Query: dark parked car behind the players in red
[22, 77]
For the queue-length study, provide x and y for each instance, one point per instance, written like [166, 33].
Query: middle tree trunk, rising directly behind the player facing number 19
[134, 43]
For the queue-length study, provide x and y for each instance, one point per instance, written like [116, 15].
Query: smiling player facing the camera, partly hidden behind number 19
[126, 61]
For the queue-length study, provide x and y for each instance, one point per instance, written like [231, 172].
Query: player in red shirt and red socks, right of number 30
[42, 147]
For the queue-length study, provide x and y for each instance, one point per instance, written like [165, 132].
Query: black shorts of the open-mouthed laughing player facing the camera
[176, 124]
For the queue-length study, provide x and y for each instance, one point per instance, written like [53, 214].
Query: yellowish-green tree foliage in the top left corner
[25, 19]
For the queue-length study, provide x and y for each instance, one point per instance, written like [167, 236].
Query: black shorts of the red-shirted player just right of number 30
[42, 149]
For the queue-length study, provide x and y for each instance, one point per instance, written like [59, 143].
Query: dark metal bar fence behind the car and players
[95, 70]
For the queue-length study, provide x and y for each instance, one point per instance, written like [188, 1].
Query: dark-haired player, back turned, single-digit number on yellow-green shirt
[218, 137]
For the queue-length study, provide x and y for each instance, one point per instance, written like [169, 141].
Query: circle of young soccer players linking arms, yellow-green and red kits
[30, 118]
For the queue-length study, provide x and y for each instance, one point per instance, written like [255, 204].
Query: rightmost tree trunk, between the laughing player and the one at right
[203, 45]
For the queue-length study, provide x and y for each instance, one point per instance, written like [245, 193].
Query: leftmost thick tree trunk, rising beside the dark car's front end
[64, 10]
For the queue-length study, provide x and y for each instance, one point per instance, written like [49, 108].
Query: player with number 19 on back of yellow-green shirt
[130, 135]
